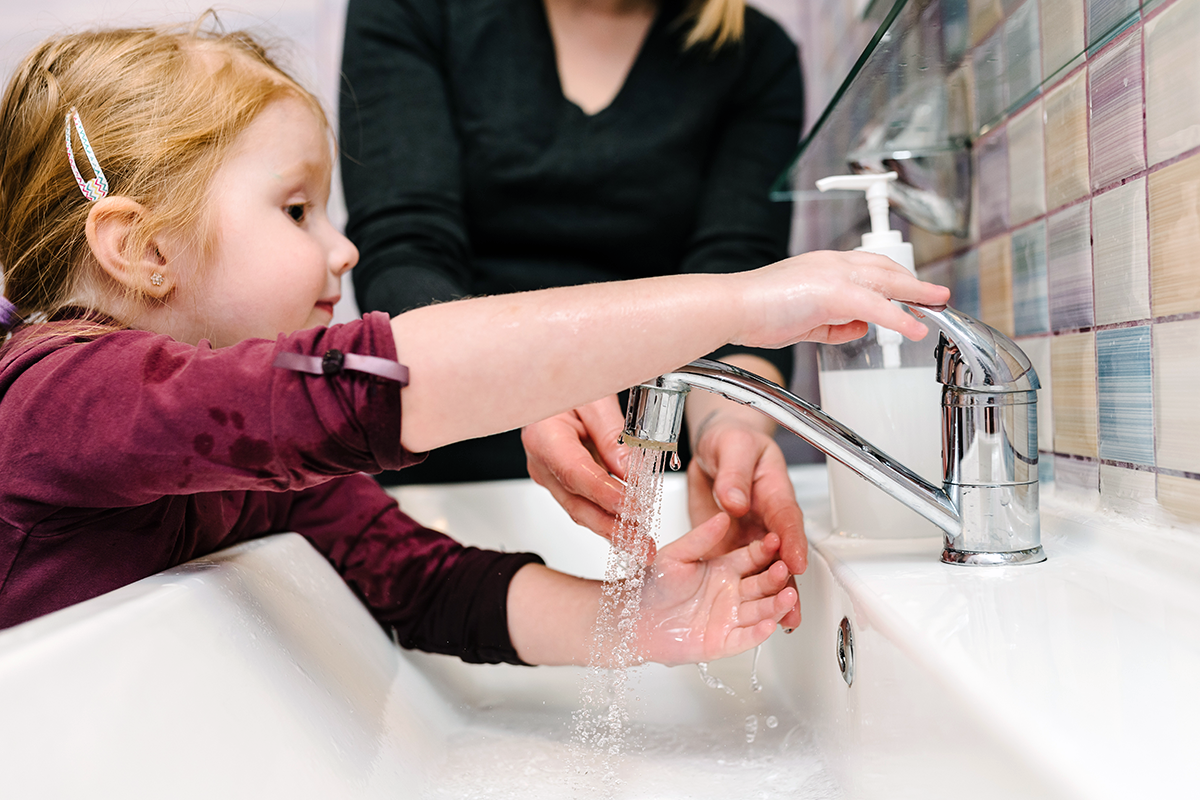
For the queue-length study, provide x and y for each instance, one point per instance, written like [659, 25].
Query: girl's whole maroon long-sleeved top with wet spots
[125, 454]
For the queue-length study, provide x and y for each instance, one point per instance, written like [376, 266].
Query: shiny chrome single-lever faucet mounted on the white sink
[988, 506]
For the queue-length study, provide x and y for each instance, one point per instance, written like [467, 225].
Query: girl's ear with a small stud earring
[111, 227]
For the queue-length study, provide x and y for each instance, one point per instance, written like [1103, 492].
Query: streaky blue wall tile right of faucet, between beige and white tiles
[1126, 401]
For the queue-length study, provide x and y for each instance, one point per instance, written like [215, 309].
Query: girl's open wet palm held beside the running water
[697, 610]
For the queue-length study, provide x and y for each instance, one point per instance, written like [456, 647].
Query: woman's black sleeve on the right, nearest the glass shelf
[739, 227]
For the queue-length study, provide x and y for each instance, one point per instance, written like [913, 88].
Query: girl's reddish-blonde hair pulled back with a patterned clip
[161, 109]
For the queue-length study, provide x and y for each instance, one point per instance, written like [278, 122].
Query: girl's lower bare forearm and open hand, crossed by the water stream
[693, 610]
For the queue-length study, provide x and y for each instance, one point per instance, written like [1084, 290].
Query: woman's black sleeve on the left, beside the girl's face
[400, 159]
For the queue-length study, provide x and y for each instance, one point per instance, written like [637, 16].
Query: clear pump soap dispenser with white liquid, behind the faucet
[884, 388]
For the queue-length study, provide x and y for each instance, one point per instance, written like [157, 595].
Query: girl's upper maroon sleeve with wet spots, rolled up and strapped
[135, 417]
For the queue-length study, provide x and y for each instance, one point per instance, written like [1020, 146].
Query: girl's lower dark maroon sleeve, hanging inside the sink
[431, 592]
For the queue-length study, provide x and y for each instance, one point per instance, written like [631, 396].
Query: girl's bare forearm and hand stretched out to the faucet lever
[494, 364]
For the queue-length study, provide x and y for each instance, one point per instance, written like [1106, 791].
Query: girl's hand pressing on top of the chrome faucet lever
[831, 297]
